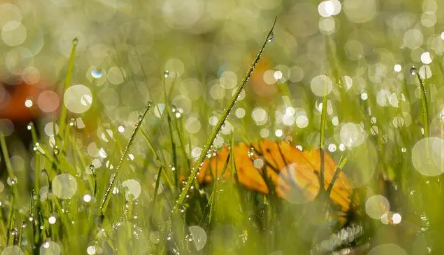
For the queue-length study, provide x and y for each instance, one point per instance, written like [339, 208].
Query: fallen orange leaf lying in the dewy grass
[293, 173]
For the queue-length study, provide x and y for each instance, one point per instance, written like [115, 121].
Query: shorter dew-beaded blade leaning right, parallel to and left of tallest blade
[117, 173]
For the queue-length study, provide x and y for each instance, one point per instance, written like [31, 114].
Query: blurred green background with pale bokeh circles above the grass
[126, 46]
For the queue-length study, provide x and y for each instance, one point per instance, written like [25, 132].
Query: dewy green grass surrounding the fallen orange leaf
[174, 214]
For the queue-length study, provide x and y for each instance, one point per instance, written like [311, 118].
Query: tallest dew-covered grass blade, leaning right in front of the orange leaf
[221, 121]
